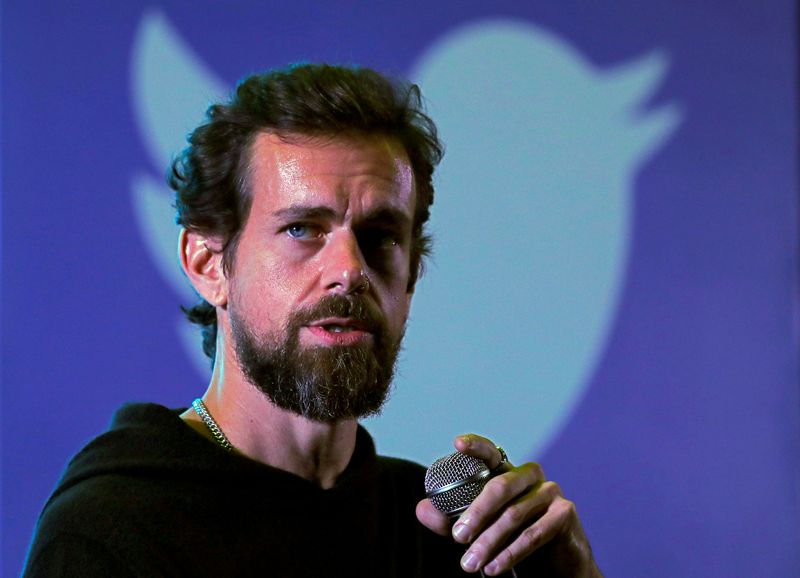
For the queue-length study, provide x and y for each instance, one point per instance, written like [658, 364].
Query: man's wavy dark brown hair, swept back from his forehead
[315, 100]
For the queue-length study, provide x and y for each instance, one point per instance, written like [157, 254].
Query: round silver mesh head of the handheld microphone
[451, 469]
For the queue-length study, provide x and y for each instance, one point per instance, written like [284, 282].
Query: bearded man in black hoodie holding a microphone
[303, 203]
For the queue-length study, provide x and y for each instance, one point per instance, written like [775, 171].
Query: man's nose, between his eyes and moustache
[344, 266]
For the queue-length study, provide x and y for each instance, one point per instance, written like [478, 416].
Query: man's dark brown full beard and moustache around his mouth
[324, 384]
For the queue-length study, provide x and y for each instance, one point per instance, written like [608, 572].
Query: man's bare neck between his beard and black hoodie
[257, 428]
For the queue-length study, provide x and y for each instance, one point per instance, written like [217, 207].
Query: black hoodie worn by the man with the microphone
[151, 497]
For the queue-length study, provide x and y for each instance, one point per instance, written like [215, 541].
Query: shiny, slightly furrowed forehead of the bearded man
[343, 173]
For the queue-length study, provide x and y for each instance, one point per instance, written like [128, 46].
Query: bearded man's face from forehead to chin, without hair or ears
[306, 328]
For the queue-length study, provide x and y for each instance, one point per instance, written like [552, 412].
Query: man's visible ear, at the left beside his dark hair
[201, 259]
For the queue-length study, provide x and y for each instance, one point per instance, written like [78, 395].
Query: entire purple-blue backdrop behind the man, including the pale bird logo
[615, 288]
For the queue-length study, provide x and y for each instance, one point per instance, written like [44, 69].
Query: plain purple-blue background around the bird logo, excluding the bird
[683, 454]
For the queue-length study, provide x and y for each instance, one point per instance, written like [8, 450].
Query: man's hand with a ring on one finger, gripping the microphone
[518, 514]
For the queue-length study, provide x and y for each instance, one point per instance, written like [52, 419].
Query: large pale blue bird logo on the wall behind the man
[531, 222]
